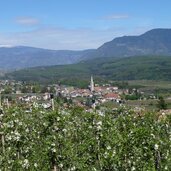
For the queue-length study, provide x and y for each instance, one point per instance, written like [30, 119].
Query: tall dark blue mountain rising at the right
[153, 42]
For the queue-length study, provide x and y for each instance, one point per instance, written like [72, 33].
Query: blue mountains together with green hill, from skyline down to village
[147, 56]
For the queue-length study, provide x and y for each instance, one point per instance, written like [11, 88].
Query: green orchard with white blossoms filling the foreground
[73, 139]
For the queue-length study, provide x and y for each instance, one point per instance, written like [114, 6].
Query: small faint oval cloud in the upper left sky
[27, 21]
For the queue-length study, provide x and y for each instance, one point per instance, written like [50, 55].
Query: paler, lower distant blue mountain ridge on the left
[24, 57]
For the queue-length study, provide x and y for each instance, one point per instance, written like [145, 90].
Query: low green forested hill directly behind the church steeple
[130, 68]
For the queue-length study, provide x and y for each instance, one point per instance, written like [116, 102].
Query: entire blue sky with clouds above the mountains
[78, 24]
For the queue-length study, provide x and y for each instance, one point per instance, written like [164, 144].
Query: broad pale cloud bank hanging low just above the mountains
[63, 38]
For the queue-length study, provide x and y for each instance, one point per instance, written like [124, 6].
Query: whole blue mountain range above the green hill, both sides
[153, 42]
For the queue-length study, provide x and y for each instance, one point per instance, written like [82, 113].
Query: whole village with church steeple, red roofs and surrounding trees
[94, 96]
